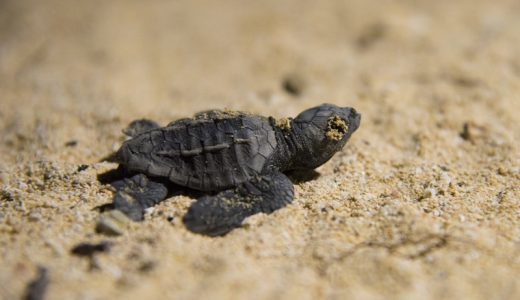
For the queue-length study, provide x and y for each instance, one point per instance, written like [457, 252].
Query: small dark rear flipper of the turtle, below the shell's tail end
[137, 193]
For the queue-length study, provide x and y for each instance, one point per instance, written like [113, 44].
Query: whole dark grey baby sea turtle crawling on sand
[236, 159]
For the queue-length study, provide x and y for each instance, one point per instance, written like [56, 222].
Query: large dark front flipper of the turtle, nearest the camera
[219, 214]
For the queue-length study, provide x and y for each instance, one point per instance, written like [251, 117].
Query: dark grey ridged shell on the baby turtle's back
[206, 153]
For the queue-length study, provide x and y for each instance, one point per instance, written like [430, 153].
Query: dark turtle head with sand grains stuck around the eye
[321, 132]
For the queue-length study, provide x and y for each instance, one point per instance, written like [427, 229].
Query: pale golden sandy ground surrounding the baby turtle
[423, 203]
